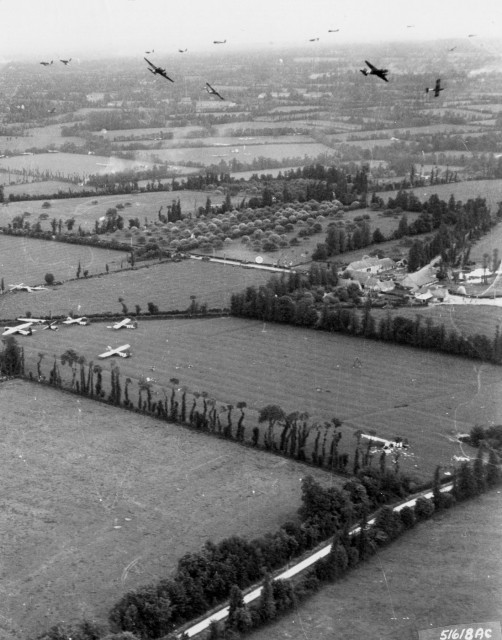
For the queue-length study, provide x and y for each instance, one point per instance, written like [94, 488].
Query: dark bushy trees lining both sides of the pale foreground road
[224, 570]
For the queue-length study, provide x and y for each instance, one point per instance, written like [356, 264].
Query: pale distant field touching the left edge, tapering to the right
[69, 164]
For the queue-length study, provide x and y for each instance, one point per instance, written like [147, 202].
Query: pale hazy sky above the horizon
[66, 28]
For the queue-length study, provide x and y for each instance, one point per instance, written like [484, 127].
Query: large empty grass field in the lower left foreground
[97, 501]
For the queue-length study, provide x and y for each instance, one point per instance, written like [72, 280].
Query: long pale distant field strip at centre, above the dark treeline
[211, 155]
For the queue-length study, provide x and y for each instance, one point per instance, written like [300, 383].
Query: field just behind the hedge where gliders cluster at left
[169, 286]
